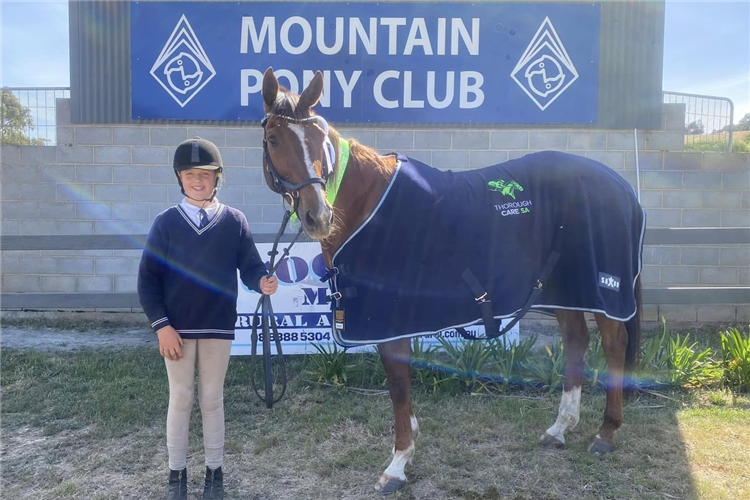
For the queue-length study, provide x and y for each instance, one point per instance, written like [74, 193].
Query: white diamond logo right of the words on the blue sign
[545, 69]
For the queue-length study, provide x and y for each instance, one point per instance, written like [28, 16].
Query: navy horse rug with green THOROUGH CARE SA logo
[400, 274]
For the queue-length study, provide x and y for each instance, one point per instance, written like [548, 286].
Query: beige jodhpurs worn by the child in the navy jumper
[213, 359]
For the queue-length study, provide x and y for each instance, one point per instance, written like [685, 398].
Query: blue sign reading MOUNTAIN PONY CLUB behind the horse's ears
[387, 62]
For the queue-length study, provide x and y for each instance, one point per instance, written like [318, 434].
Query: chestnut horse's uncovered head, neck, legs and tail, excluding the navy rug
[300, 152]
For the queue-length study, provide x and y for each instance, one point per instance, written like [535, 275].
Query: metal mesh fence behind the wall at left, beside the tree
[41, 103]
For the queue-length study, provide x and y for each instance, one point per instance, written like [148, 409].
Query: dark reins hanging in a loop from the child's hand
[264, 305]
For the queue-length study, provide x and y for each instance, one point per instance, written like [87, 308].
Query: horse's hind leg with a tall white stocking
[575, 335]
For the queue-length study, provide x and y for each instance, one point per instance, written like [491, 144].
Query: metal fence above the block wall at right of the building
[709, 120]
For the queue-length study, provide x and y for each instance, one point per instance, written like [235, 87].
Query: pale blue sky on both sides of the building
[706, 47]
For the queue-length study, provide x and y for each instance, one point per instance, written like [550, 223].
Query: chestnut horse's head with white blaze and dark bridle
[298, 156]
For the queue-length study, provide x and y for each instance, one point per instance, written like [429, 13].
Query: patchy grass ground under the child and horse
[90, 424]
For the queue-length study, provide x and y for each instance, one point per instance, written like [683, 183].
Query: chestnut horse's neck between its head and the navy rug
[366, 178]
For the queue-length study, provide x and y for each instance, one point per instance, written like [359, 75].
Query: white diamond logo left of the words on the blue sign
[183, 68]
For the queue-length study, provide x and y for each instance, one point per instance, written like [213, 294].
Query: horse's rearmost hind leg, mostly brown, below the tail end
[614, 342]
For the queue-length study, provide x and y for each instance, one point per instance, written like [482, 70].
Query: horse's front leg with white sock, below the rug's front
[395, 358]
